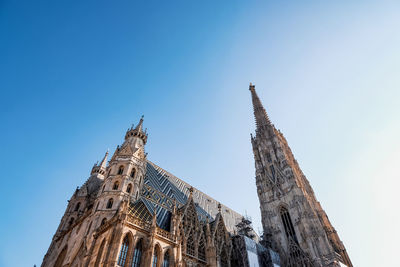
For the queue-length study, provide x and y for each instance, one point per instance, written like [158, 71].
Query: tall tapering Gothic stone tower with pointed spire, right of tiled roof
[294, 222]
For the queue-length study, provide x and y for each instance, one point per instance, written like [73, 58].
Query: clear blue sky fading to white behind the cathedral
[75, 74]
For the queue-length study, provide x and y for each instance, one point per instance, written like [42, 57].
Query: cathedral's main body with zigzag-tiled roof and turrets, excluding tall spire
[131, 212]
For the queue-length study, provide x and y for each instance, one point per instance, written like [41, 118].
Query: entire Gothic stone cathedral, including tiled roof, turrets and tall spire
[131, 212]
